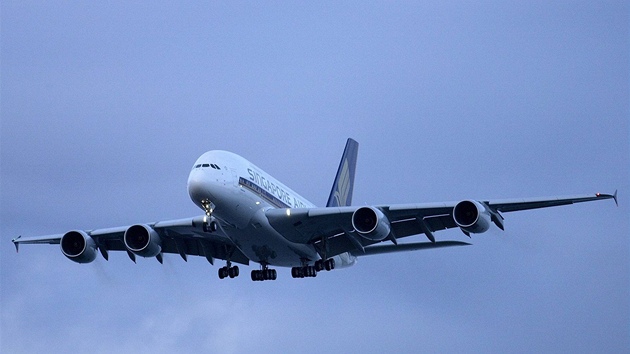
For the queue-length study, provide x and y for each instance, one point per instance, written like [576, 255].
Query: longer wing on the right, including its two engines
[335, 230]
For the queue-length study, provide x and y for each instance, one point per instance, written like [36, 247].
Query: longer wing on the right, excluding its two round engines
[331, 230]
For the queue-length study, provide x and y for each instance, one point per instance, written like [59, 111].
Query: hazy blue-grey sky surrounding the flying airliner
[105, 107]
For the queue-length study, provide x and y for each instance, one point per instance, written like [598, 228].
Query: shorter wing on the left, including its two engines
[183, 236]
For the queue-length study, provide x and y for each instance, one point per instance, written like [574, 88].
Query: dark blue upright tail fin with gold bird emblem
[341, 193]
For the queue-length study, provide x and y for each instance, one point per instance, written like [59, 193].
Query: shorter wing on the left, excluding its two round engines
[184, 237]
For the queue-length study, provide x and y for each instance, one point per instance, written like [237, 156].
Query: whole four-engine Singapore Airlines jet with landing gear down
[249, 216]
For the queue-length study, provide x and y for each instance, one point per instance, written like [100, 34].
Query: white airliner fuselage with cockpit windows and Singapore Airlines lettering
[239, 194]
